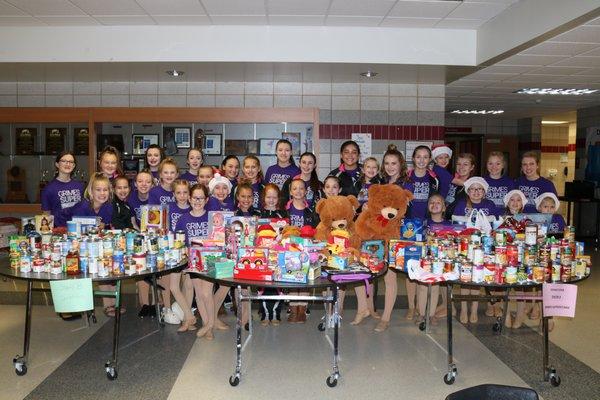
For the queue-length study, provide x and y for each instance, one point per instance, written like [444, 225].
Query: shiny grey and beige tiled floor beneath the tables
[292, 361]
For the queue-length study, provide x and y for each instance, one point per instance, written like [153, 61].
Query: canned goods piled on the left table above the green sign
[103, 254]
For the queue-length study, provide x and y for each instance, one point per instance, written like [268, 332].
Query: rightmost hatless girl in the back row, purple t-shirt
[531, 183]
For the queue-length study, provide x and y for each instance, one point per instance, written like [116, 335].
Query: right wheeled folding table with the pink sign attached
[549, 372]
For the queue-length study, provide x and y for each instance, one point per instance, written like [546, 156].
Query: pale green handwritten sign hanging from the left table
[72, 295]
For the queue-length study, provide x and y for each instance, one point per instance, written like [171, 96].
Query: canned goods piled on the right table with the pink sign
[500, 259]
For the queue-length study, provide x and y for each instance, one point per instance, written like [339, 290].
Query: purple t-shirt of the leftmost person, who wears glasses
[60, 197]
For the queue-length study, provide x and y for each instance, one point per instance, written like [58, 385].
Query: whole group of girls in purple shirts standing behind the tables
[290, 191]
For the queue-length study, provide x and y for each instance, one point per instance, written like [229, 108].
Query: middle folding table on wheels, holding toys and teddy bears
[329, 320]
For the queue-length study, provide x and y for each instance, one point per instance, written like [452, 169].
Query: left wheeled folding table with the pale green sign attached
[20, 361]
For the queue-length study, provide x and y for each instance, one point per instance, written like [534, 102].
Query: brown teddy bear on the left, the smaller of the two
[337, 212]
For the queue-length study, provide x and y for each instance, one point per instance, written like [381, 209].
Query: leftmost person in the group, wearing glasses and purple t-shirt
[62, 193]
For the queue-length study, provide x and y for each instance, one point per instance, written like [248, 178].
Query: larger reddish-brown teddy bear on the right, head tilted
[382, 216]
